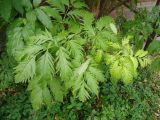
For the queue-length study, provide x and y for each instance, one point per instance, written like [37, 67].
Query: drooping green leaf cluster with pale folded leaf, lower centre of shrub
[86, 78]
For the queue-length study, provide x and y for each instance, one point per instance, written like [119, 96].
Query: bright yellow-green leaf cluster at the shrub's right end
[123, 62]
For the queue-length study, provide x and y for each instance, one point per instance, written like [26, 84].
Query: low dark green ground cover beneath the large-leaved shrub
[136, 101]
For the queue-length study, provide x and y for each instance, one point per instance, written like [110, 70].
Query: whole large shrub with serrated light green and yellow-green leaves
[60, 48]
